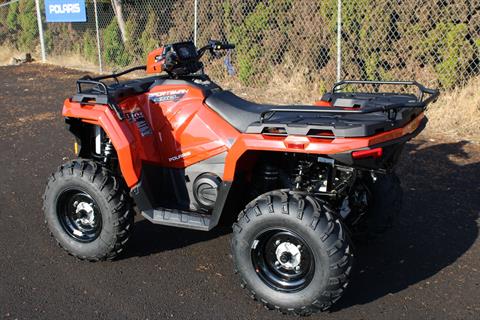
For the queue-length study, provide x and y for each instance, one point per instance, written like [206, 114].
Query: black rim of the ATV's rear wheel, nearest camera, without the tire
[283, 260]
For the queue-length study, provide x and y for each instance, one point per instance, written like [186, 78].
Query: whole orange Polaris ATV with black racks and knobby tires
[303, 180]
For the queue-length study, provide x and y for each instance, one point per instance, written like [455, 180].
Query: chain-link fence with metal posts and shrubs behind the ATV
[302, 44]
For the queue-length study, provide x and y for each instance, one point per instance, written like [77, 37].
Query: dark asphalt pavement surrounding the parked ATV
[427, 267]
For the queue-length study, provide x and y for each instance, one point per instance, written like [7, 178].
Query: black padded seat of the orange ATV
[239, 112]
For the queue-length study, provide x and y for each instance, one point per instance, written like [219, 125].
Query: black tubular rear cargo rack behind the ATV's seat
[390, 109]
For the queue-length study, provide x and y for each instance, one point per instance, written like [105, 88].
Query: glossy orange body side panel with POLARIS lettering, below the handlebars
[187, 132]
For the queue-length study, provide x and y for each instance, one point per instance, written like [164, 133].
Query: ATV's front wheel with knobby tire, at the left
[87, 210]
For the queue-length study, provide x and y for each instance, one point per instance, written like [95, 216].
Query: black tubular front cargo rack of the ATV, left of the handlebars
[98, 92]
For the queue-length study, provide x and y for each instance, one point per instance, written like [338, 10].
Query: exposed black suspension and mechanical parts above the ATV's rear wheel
[340, 187]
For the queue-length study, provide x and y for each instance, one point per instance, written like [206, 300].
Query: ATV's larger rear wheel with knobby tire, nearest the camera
[291, 253]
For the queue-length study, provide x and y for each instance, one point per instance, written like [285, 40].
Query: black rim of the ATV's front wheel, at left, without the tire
[79, 215]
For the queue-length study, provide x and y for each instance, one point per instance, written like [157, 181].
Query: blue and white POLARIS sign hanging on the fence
[65, 11]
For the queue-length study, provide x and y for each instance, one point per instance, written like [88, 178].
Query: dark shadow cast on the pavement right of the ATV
[438, 223]
